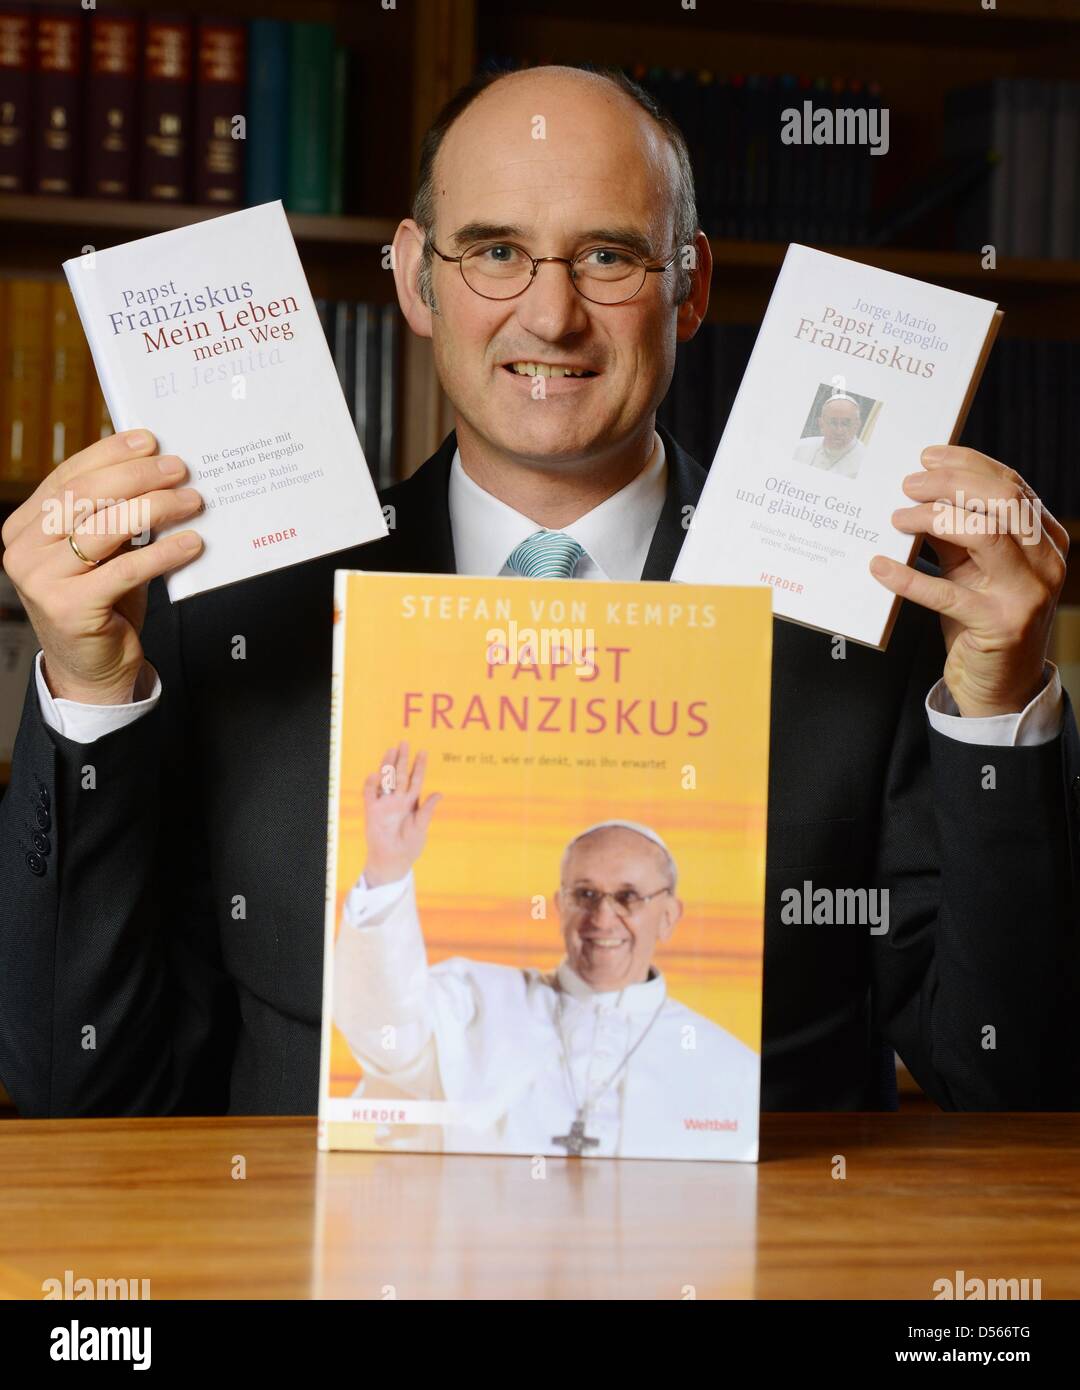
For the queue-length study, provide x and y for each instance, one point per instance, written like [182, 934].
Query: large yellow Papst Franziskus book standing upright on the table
[546, 875]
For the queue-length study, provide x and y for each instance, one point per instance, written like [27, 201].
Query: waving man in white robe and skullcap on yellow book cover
[593, 1060]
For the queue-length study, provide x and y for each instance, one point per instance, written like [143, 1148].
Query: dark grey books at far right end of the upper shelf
[1028, 208]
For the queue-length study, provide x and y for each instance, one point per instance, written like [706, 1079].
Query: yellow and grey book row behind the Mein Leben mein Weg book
[52, 405]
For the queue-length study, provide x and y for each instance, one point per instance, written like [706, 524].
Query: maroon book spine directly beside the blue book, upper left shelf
[220, 101]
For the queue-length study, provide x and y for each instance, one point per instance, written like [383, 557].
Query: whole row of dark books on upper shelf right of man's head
[786, 158]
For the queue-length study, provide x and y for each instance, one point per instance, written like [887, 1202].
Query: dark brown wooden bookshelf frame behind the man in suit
[415, 55]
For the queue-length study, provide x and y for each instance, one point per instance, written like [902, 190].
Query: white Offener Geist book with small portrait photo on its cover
[854, 373]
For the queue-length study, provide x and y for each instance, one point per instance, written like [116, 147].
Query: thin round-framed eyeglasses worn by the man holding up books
[601, 275]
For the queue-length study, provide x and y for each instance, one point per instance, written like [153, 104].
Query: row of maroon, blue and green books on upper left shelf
[166, 109]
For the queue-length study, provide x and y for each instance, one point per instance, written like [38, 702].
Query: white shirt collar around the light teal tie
[616, 534]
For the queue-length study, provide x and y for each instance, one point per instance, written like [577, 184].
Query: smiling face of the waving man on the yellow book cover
[611, 947]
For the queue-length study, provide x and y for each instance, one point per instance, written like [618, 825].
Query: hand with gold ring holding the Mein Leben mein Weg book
[88, 618]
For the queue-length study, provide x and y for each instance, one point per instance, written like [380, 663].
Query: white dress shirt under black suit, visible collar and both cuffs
[616, 537]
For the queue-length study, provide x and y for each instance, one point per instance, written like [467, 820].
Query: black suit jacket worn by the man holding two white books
[165, 885]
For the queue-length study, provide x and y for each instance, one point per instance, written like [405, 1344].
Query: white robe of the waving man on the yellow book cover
[515, 1054]
